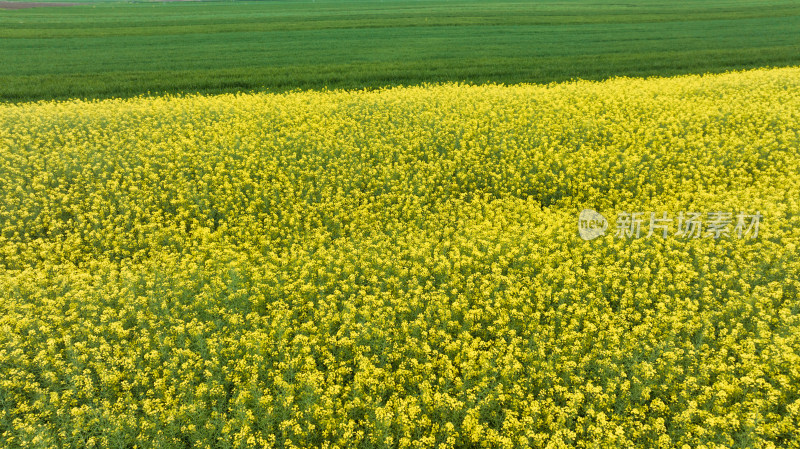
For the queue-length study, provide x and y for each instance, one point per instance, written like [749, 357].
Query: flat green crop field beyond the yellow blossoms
[106, 49]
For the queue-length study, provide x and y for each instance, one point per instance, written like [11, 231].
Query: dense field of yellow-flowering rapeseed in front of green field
[404, 268]
